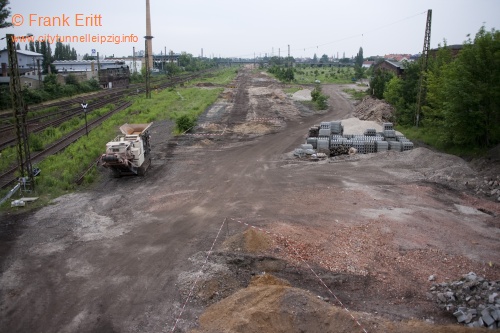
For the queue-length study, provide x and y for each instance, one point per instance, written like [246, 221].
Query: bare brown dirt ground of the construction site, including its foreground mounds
[232, 233]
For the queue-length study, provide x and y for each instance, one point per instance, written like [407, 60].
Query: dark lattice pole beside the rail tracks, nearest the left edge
[20, 110]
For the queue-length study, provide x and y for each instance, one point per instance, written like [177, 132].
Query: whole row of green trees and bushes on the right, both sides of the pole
[461, 104]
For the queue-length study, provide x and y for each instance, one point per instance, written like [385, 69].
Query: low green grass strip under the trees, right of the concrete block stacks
[432, 138]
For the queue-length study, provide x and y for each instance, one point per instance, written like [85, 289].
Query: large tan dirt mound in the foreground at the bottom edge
[267, 307]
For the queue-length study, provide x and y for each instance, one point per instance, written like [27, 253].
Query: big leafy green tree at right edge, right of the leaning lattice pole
[466, 95]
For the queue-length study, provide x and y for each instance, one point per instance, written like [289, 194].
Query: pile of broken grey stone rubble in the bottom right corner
[473, 300]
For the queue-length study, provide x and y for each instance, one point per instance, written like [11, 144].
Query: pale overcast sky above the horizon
[244, 28]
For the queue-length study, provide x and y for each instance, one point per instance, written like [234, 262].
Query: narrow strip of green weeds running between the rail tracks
[8, 177]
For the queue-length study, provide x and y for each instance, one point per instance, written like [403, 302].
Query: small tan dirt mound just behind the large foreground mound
[250, 241]
